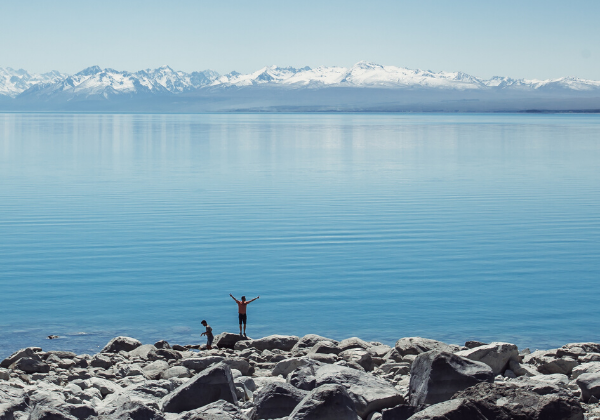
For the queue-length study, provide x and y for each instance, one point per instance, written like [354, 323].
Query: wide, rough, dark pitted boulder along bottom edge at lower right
[507, 401]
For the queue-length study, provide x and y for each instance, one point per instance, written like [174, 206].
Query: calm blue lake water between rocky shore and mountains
[447, 226]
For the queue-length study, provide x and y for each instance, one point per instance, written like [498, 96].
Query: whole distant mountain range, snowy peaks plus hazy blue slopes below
[362, 87]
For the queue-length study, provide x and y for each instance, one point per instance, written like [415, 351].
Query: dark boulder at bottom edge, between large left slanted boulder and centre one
[276, 400]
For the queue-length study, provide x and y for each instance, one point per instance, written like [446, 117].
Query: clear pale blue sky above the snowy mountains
[531, 39]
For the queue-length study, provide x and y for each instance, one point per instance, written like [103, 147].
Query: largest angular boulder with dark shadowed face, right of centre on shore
[435, 376]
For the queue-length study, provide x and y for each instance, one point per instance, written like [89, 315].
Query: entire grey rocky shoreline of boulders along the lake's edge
[303, 378]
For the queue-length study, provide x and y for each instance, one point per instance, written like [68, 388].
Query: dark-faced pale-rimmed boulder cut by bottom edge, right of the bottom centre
[325, 403]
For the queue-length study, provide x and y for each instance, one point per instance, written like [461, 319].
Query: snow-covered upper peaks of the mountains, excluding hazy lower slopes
[95, 81]
